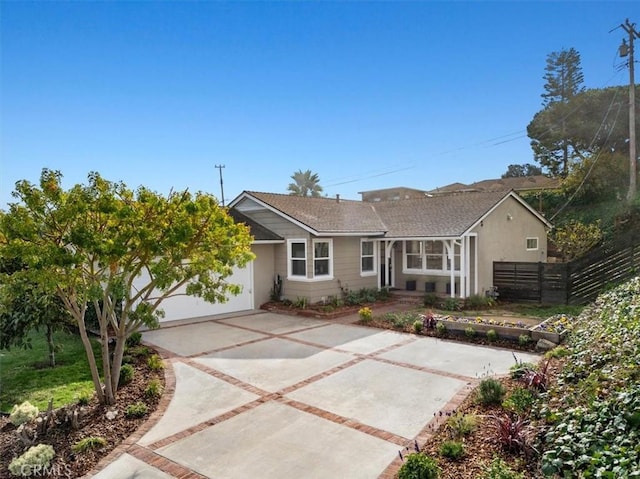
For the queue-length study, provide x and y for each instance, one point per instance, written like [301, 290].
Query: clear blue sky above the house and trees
[366, 94]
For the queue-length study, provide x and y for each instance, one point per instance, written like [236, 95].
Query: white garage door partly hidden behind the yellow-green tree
[187, 307]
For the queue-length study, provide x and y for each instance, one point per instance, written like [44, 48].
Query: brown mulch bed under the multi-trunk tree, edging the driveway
[93, 422]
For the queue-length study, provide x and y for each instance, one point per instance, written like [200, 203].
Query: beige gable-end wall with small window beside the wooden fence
[504, 239]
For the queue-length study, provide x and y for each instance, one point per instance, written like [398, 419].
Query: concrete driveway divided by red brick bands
[273, 396]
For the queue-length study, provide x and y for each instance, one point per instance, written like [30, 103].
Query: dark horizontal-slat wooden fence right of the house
[576, 282]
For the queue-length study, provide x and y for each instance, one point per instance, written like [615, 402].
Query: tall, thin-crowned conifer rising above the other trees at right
[563, 81]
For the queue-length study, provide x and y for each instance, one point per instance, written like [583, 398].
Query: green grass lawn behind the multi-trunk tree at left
[26, 376]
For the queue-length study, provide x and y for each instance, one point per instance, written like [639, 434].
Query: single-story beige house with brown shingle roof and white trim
[316, 248]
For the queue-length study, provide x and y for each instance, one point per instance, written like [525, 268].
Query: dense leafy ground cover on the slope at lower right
[593, 409]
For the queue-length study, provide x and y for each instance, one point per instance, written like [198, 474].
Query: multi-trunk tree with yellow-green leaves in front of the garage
[120, 252]
